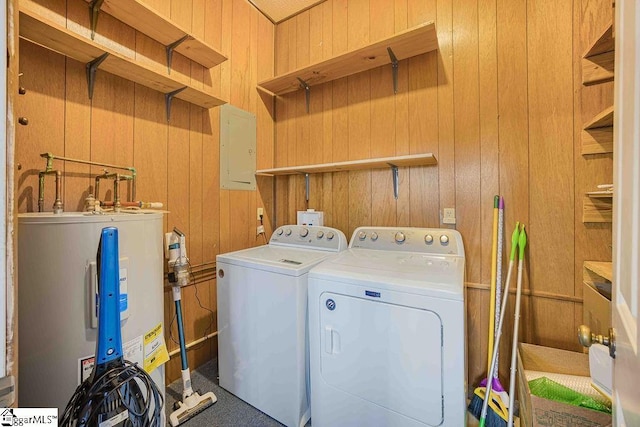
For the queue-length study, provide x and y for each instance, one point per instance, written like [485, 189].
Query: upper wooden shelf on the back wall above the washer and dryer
[411, 42]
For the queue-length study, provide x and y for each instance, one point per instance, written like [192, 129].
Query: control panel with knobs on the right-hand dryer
[440, 241]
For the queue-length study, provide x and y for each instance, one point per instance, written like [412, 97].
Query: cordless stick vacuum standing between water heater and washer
[192, 402]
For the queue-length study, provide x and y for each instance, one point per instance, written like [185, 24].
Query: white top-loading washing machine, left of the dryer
[262, 319]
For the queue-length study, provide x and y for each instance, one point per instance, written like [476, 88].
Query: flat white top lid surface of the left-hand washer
[283, 260]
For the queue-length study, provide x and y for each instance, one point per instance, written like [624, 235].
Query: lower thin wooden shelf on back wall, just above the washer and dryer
[379, 163]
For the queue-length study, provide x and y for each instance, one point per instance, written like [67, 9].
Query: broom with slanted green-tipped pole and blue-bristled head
[480, 403]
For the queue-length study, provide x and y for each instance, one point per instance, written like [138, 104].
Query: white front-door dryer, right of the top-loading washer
[387, 331]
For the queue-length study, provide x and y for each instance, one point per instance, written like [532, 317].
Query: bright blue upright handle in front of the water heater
[109, 345]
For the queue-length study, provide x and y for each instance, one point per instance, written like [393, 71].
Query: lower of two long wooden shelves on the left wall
[48, 34]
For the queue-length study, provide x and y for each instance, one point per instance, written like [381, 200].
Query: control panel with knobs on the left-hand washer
[310, 237]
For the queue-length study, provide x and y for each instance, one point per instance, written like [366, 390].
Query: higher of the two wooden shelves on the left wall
[149, 22]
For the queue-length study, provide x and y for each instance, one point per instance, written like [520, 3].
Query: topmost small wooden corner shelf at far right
[598, 61]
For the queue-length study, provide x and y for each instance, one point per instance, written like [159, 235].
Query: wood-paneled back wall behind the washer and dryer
[500, 104]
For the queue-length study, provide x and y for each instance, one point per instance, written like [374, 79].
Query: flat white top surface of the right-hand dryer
[419, 273]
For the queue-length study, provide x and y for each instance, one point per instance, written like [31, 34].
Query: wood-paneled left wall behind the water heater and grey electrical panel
[125, 124]
